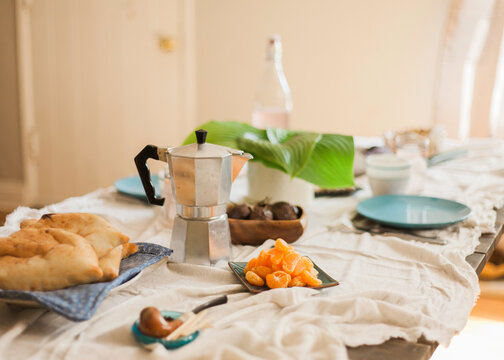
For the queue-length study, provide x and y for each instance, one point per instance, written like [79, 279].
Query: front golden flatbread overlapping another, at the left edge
[46, 259]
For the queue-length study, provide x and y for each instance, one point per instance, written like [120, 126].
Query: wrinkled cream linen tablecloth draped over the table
[389, 287]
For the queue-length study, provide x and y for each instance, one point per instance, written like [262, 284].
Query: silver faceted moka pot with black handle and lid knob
[201, 177]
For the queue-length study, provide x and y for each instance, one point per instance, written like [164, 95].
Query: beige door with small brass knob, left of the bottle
[103, 89]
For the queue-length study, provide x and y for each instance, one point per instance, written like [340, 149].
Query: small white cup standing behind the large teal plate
[388, 173]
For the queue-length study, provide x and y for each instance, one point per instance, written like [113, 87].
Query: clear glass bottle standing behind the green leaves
[273, 102]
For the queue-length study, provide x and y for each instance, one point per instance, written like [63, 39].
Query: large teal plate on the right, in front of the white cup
[413, 212]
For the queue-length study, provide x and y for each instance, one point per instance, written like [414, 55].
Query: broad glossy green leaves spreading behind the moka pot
[325, 160]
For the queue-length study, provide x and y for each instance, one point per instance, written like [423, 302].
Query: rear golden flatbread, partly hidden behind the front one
[102, 236]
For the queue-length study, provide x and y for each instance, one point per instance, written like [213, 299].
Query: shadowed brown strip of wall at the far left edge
[11, 164]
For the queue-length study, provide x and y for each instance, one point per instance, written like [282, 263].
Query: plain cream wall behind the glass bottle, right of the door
[355, 67]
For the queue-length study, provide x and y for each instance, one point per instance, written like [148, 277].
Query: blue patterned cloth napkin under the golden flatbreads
[79, 303]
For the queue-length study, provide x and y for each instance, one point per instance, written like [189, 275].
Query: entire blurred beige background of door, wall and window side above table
[84, 84]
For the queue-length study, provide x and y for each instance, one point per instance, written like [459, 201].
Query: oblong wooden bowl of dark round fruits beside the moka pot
[254, 231]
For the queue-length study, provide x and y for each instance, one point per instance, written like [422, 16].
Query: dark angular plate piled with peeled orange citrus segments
[280, 267]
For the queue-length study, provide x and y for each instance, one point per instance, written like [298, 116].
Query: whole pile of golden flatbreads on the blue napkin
[62, 250]
